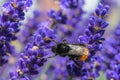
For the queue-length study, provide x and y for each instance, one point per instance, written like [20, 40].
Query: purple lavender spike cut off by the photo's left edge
[13, 13]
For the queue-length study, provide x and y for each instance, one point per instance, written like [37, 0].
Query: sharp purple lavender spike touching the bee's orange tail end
[93, 40]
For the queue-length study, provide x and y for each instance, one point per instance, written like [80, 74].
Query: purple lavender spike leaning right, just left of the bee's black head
[32, 59]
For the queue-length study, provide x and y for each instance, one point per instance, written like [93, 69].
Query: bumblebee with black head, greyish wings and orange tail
[74, 51]
